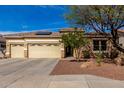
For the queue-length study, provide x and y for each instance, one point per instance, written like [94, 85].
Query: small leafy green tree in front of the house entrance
[76, 41]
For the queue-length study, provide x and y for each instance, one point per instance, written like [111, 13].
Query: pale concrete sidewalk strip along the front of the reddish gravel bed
[83, 81]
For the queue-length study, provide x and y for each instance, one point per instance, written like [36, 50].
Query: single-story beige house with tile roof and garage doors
[45, 44]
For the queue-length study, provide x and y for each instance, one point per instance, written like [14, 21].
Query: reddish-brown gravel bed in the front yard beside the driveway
[108, 70]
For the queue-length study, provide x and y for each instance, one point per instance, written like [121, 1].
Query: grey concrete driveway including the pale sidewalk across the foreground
[34, 73]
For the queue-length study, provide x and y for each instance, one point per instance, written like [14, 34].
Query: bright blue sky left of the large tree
[30, 18]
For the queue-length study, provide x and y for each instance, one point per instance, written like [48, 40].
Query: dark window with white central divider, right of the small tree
[99, 45]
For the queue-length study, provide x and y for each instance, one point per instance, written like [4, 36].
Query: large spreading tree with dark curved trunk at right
[103, 19]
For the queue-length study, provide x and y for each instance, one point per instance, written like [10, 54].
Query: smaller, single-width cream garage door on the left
[17, 51]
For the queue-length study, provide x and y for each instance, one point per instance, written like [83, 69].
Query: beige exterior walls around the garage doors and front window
[44, 41]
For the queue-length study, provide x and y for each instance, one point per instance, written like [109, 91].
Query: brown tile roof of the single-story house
[53, 34]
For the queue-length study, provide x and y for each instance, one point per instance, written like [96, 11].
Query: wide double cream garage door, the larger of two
[44, 51]
